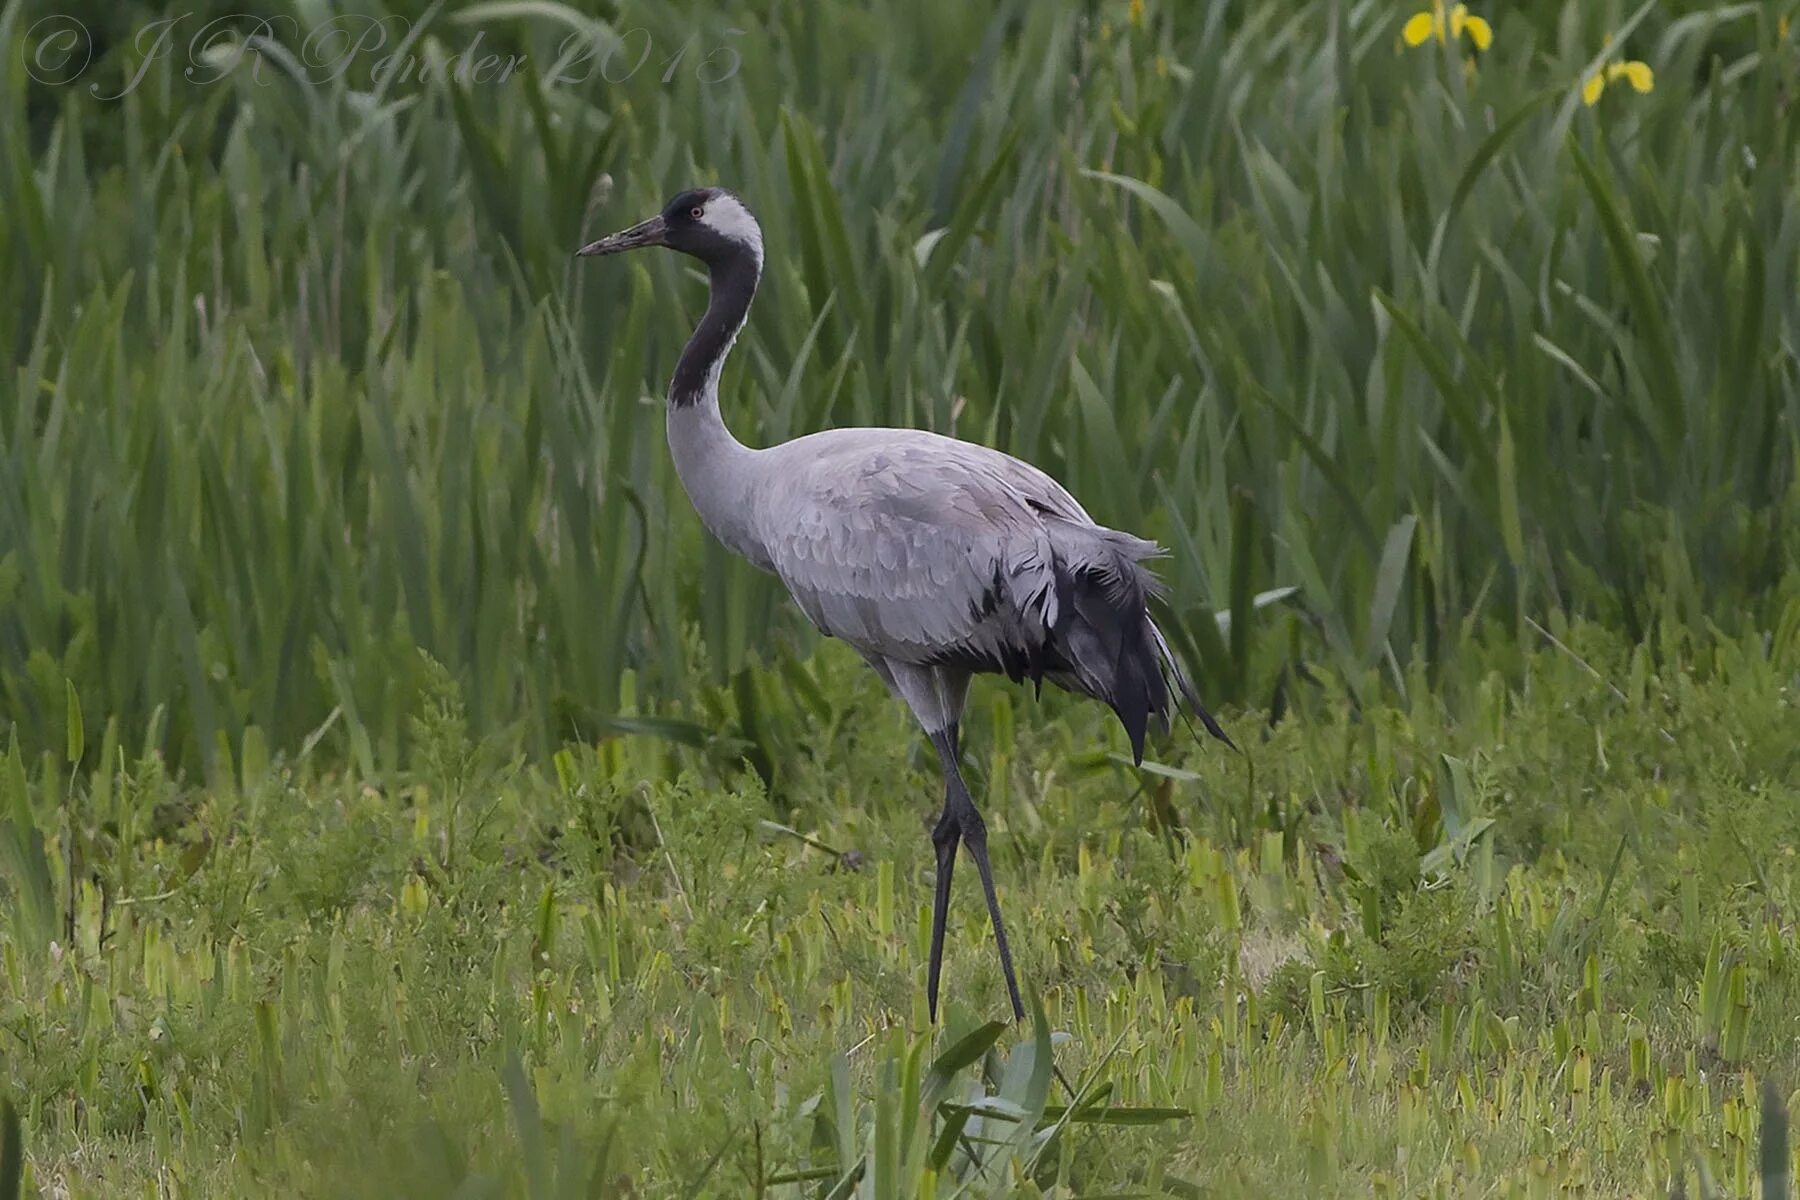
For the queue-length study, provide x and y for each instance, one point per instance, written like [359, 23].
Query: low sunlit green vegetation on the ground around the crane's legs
[1542, 949]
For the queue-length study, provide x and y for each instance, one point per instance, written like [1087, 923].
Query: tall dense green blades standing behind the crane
[305, 379]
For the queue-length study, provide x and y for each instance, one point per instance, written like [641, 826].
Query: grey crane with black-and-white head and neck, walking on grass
[937, 559]
